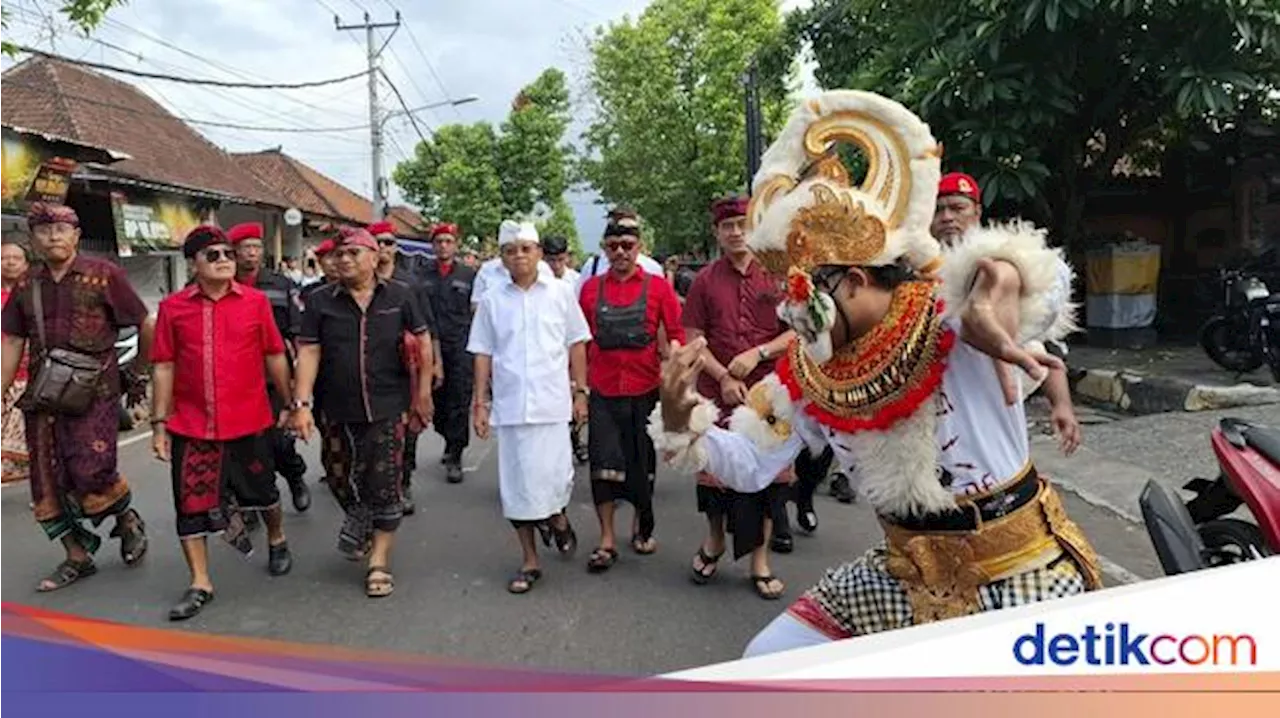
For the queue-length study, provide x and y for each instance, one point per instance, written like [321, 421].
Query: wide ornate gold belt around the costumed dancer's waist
[943, 571]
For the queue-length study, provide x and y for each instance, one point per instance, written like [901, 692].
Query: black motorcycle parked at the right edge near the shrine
[1246, 335]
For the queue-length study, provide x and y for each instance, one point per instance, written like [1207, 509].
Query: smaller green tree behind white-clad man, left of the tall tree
[477, 176]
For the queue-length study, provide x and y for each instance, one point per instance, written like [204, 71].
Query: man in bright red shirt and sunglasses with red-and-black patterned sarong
[213, 417]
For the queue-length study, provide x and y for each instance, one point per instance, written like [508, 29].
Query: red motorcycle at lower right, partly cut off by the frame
[1199, 534]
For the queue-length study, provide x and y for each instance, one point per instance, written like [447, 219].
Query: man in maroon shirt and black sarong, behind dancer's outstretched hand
[734, 304]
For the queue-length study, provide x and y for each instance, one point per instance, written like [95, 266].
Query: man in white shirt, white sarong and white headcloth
[529, 336]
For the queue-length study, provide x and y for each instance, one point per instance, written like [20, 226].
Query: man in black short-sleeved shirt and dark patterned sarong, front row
[353, 369]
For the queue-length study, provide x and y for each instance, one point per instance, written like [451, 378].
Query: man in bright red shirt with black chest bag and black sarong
[625, 309]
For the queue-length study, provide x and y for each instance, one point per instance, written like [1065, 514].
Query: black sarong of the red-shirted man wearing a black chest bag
[623, 455]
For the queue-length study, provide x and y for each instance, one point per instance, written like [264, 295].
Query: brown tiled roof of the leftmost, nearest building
[62, 99]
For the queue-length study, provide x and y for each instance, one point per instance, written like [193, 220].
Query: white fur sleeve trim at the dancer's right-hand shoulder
[1048, 312]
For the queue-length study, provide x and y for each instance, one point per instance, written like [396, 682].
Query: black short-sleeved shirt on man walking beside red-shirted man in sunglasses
[363, 376]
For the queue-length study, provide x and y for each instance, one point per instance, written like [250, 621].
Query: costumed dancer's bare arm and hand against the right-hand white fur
[990, 324]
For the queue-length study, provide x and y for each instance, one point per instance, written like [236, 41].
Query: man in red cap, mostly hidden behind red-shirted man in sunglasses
[286, 308]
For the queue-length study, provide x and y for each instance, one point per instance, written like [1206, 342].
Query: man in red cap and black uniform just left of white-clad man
[449, 285]
